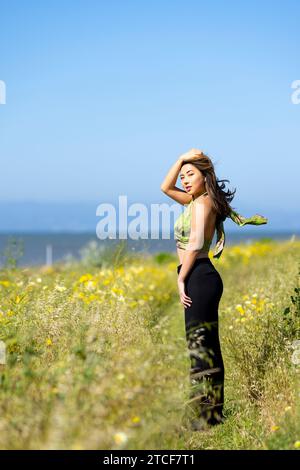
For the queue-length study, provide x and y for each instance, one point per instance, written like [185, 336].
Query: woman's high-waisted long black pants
[204, 286]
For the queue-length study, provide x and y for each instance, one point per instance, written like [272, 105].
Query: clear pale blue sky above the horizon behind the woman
[102, 97]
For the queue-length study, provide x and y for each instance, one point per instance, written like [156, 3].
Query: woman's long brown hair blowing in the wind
[215, 187]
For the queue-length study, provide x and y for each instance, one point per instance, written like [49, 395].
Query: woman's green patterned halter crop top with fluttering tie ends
[183, 223]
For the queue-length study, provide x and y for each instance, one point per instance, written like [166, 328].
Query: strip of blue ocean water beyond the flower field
[47, 248]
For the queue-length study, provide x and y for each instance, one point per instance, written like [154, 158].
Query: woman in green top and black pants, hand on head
[200, 285]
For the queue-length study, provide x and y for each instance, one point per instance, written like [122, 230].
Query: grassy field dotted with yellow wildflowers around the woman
[96, 355]
